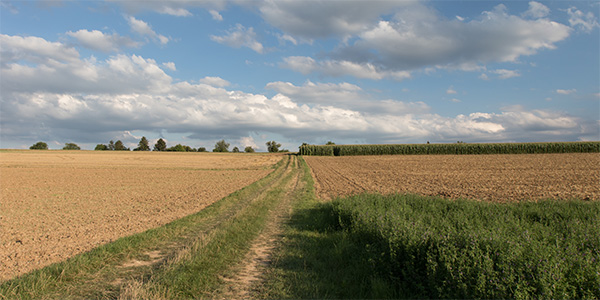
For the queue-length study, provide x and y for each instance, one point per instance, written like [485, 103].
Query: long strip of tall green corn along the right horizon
[458, 148]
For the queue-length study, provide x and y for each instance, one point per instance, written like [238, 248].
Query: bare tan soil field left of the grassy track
[56, 204]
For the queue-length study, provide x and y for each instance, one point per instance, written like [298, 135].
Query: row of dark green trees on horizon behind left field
[161, 145]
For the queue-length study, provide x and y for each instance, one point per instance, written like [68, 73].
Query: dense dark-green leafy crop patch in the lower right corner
[438, 248]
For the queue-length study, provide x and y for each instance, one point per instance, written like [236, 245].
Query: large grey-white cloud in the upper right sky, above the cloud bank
[417, 37]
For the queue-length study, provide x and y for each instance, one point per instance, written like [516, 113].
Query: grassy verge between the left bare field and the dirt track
[89, 275]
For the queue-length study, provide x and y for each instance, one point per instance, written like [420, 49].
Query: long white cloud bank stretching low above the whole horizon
[88, 100]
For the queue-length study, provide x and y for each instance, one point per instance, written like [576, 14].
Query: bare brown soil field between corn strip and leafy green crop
[500, 178]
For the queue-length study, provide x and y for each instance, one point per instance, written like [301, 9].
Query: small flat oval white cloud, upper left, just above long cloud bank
[97, 40]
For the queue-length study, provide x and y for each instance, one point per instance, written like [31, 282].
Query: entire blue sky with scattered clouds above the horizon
[351, 72]
